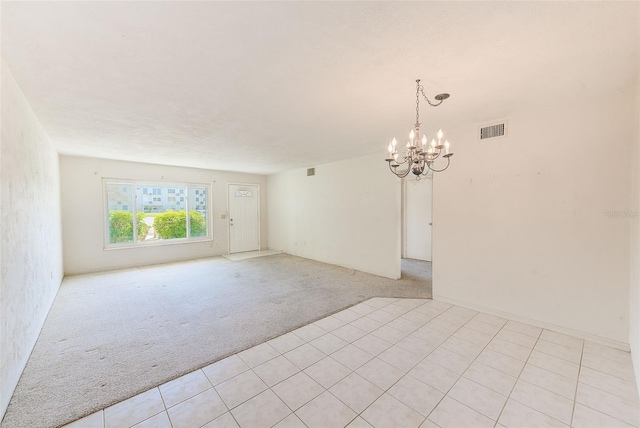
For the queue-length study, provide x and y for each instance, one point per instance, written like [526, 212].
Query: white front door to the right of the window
[244, 218]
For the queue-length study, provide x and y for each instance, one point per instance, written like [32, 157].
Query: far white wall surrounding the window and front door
[84, 217]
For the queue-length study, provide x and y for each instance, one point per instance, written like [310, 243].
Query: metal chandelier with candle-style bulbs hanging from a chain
[419, 155]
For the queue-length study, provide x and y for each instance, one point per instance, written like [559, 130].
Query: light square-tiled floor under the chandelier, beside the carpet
[398, 363]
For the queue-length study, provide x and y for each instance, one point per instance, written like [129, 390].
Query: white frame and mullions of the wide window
[160, 242]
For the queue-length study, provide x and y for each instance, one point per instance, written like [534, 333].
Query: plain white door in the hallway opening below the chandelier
[417, 219]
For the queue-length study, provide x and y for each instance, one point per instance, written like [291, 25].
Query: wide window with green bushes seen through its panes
[137, 220]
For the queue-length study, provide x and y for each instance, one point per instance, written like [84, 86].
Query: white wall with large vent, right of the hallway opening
[520, 224]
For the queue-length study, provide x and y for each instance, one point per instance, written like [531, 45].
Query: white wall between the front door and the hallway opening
[347, 214]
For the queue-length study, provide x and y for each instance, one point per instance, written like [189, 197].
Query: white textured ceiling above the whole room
[269, 86]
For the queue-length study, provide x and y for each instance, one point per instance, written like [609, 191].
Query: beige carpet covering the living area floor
[112, 335]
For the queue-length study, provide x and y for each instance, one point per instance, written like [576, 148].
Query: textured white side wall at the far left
[31, 246]
